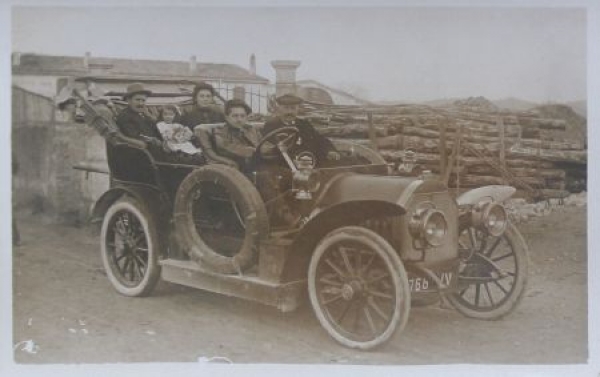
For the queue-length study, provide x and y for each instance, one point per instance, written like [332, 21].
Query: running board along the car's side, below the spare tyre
[285, 297]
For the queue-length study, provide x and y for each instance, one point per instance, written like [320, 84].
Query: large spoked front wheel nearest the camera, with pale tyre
[358, 287]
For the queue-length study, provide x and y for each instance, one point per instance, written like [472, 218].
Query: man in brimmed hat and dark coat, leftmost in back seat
[135, 121]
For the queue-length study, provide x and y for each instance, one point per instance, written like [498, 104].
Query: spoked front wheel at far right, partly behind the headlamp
[492, 275]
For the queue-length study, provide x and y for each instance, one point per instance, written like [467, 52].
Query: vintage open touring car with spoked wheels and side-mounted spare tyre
[364, 244]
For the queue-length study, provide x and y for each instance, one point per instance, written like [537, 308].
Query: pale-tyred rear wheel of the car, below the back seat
[129, 246]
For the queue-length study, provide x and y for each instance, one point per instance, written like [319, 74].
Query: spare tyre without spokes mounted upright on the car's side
[220, 218]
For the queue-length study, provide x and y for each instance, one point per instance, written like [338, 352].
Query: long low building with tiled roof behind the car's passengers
[47, 74]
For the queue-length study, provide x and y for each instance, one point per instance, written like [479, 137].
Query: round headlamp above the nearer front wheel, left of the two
[429, 225]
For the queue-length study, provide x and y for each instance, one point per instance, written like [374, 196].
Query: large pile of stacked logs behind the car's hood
[496, 147]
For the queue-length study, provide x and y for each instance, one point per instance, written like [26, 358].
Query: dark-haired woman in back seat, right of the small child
[204, 111]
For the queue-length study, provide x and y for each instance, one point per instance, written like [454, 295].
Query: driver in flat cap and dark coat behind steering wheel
[309, 139]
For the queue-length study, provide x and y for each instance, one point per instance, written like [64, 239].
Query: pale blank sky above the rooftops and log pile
[381, 54]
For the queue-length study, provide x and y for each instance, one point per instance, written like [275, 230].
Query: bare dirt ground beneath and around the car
[65, 305]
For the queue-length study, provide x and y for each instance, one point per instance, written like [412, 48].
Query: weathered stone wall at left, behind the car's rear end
[46, 181]
